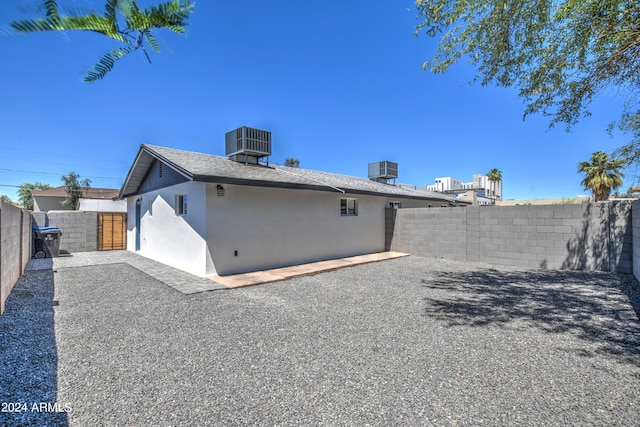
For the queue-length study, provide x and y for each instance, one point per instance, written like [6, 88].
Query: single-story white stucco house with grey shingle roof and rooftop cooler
[212, 215]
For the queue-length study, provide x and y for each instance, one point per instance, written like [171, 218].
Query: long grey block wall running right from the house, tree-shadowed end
[594, 236]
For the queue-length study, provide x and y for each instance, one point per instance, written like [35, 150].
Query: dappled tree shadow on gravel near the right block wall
[596, 307]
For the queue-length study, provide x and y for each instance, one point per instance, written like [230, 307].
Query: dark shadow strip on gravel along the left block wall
[28, 379]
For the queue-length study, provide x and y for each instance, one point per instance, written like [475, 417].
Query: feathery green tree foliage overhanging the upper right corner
[559, 54]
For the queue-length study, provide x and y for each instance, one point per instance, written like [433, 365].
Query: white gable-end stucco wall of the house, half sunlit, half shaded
[175, 240]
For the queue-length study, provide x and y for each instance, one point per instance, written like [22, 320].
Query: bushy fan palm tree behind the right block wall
[603, 174]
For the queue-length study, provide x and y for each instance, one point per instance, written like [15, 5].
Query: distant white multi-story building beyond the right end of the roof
[480, 191]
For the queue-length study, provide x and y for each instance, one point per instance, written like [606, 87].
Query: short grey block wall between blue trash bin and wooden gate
[79, 228]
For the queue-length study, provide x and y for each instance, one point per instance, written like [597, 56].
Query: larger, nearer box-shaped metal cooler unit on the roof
[247, 144]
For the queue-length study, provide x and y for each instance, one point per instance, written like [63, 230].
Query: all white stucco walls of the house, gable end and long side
[267, 227]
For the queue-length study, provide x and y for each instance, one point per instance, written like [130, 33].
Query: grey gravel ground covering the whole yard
[412, 341]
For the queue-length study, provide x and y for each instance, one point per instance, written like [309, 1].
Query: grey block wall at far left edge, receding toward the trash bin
[15, 247]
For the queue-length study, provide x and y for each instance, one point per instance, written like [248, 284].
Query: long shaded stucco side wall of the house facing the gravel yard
[272, 227]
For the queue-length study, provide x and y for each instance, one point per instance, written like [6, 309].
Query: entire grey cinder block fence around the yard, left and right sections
[590, 236]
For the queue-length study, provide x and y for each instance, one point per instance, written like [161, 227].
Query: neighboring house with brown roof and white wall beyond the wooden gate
[94, 200]
